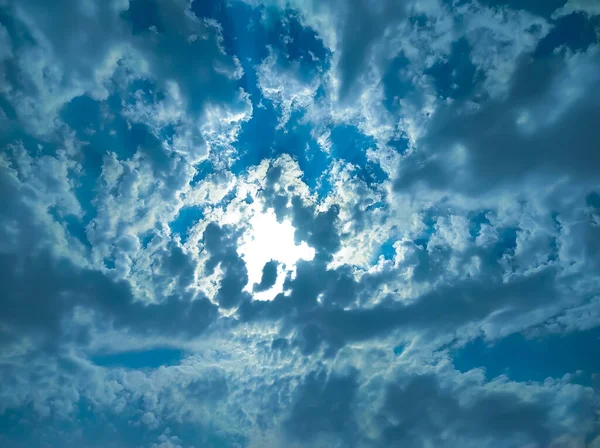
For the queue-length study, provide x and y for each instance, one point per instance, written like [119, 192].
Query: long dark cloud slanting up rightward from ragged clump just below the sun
[444, 309]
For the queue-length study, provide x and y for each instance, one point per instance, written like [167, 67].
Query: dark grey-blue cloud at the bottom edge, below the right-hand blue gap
[421, 412]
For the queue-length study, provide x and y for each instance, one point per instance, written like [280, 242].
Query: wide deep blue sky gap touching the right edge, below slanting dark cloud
[523, 359]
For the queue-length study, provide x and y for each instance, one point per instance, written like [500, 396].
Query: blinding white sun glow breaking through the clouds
[266, 240]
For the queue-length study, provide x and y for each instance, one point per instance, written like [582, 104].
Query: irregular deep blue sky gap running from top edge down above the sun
[246, 33]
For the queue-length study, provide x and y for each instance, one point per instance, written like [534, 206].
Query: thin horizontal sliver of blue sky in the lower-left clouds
[141, 359]
